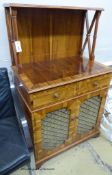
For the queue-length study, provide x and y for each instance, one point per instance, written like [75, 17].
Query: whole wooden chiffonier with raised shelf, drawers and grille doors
[62, 91]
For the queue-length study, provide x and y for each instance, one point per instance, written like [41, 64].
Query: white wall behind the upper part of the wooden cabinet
[104, 41]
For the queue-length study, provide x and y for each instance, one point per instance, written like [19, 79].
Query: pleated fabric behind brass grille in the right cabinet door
[88, 114]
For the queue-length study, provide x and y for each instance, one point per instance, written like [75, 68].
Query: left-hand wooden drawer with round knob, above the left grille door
[53, 95]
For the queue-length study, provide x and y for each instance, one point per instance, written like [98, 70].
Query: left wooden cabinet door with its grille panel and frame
[54, 128]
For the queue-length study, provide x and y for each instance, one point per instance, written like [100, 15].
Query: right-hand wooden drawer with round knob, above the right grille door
[93, 84]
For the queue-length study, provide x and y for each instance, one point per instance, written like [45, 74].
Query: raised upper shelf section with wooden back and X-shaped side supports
[50, 32]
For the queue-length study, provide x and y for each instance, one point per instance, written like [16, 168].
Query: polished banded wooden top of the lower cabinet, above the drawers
[48, 74]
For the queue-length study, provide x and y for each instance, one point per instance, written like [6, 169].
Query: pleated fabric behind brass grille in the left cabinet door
[55, 128]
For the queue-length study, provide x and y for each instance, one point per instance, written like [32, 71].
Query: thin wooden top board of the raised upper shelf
[51, 6]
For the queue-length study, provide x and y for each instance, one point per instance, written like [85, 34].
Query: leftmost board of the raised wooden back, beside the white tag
[24, 34]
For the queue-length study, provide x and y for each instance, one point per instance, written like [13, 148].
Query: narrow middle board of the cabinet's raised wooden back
[40, 34]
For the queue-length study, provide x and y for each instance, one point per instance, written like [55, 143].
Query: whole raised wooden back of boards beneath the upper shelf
[49, 33]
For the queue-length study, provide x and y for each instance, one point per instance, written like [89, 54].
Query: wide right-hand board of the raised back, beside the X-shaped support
[67, 30]
